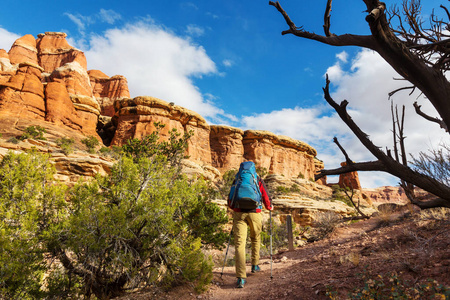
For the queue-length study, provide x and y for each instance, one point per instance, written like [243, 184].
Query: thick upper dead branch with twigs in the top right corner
[420, 55]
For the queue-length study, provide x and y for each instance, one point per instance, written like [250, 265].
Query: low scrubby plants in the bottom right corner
[391, 286]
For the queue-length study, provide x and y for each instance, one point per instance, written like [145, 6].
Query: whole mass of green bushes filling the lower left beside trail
[143, 224]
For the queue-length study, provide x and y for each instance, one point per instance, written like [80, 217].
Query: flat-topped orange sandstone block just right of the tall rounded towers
[135, 118]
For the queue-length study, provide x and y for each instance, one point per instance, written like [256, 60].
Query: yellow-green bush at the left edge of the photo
[30, 205]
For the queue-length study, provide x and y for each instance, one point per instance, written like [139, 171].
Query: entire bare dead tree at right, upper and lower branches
[421, 56]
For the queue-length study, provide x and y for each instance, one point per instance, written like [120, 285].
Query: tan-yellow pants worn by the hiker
[240, 222]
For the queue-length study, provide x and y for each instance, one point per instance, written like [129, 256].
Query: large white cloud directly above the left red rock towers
[156, 63]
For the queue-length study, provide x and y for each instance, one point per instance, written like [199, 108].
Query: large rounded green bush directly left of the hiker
[140, 220]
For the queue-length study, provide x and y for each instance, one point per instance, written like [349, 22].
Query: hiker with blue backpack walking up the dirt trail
[247, 194]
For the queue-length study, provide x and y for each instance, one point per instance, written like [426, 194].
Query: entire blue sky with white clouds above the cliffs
[228, 61]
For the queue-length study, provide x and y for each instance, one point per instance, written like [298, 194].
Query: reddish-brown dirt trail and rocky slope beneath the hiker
[405, 249]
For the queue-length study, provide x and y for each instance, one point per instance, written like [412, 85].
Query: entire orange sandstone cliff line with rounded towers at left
[47, 80]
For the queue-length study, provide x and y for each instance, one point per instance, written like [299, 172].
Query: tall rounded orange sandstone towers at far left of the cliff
[47, 79]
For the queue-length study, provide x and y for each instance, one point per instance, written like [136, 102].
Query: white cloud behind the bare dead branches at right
[365, 83]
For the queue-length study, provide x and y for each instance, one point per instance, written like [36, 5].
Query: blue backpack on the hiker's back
[244, 192]
